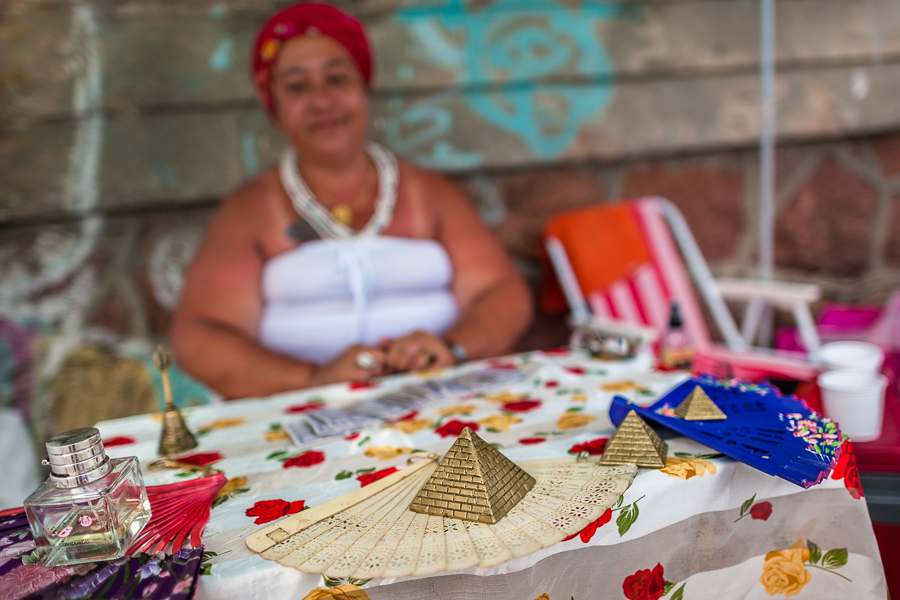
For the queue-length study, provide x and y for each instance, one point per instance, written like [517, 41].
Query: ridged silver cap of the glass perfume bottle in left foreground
[77, 457]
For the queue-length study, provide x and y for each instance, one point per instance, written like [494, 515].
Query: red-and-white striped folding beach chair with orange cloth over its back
[627, 262]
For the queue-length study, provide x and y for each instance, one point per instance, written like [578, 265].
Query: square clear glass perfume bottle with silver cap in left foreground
[91, 507]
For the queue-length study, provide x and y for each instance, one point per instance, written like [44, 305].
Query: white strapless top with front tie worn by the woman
[326, 295]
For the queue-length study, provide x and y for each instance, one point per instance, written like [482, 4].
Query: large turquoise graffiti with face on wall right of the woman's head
[500, 51]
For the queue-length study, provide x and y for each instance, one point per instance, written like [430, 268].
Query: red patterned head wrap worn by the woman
[301, 19]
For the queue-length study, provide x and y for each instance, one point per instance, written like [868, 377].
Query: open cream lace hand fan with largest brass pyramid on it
[372, 532]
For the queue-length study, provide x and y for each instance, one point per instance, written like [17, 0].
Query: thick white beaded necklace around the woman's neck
[320, 218]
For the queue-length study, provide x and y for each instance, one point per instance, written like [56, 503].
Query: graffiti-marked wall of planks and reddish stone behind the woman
[124, 122]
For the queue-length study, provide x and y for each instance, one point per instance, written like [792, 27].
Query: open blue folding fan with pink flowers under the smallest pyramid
[776, 434]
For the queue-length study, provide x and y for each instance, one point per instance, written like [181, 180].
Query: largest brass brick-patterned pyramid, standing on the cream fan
[473, 482]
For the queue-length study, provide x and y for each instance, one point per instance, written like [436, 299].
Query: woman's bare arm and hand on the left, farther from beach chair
[215, 325]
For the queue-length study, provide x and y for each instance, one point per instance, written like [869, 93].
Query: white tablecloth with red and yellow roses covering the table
[704, 526]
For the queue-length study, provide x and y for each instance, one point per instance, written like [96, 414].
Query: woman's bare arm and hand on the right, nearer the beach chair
[494, 301]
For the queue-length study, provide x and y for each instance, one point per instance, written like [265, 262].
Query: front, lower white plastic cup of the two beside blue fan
[855, 400]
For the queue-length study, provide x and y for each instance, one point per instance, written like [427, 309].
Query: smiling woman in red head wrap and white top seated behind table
[342, 262]
